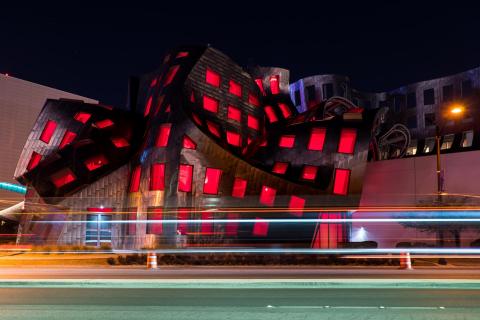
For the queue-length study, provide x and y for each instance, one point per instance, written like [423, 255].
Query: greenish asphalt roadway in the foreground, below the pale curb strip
[212, 304]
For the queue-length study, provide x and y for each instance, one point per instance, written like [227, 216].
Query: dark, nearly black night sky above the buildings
[91, 50]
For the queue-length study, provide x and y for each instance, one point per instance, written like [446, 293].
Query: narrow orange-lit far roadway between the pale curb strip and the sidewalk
[234, 272]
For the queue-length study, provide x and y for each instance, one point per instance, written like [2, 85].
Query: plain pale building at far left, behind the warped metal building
[20, 104]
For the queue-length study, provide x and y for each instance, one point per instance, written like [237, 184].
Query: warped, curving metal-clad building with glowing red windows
[204, 139]
